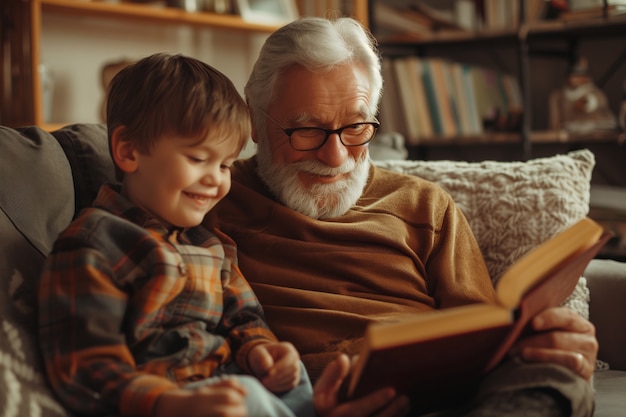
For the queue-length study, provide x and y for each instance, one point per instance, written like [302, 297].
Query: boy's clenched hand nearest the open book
[277, 365]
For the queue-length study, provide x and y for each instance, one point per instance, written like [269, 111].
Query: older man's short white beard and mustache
[320, 201]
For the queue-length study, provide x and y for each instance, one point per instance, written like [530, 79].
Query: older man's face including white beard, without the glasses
[325, 182]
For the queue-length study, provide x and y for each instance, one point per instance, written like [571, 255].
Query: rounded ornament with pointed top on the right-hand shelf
[579, 106]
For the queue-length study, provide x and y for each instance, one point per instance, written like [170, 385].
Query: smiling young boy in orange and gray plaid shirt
[141, 312]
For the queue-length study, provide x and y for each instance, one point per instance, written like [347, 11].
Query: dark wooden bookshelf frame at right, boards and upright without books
[562, 37]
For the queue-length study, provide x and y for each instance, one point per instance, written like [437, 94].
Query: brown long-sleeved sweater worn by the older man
[403, 248]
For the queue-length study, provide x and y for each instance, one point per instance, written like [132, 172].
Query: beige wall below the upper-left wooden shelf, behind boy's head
[76, 48]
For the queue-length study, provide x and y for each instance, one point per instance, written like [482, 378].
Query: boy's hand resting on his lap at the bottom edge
[225, 398]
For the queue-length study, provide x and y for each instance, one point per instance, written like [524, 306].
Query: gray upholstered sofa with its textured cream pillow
[45, 178]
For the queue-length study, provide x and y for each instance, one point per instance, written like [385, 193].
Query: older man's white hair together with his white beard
[319, 45]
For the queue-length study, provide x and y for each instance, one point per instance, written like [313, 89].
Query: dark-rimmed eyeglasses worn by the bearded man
[312, 138]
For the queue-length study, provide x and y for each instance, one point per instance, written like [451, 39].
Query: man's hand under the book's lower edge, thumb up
[382, 403]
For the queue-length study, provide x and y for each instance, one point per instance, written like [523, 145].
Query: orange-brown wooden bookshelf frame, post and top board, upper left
[26, 84]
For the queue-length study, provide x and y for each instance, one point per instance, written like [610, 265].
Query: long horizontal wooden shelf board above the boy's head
[151, 13]
